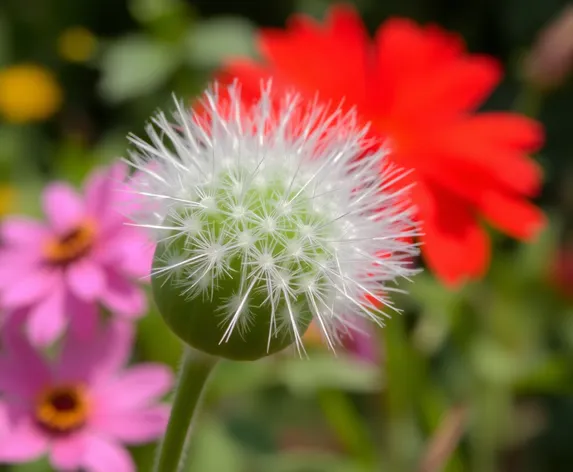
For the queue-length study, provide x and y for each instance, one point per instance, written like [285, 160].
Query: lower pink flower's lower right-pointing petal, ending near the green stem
[134, 427]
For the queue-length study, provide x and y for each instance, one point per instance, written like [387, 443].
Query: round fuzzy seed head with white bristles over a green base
[267, 218]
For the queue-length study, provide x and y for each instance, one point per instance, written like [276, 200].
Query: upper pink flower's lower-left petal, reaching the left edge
[30, 288]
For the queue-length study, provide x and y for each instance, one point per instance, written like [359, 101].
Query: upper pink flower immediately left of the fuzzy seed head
[83, 254]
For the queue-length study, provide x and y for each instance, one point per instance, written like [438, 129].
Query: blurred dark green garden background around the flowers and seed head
[478, 378]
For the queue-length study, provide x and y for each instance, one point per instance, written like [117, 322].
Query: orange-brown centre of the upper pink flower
[71, 246]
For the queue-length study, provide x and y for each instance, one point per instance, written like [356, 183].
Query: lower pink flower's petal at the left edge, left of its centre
[20, 439]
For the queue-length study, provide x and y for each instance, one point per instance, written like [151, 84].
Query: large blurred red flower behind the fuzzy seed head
[419, 88]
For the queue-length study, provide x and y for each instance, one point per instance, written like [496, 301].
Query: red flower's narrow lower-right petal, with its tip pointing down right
[515, 217]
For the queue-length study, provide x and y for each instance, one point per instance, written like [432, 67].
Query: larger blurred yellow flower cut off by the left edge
[28, 92]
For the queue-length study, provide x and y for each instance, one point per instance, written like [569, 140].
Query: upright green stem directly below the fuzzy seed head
[193, 376]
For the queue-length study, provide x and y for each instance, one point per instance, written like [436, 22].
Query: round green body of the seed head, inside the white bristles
[232, 276]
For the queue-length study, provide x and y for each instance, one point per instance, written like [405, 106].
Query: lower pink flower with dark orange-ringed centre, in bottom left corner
[82, 408]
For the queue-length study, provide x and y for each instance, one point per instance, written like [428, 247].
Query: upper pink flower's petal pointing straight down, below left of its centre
[47, 320]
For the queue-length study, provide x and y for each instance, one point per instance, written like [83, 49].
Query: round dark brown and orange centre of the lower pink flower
[62, 409]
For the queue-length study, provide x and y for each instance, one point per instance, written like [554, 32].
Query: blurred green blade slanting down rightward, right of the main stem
[348, 426]
